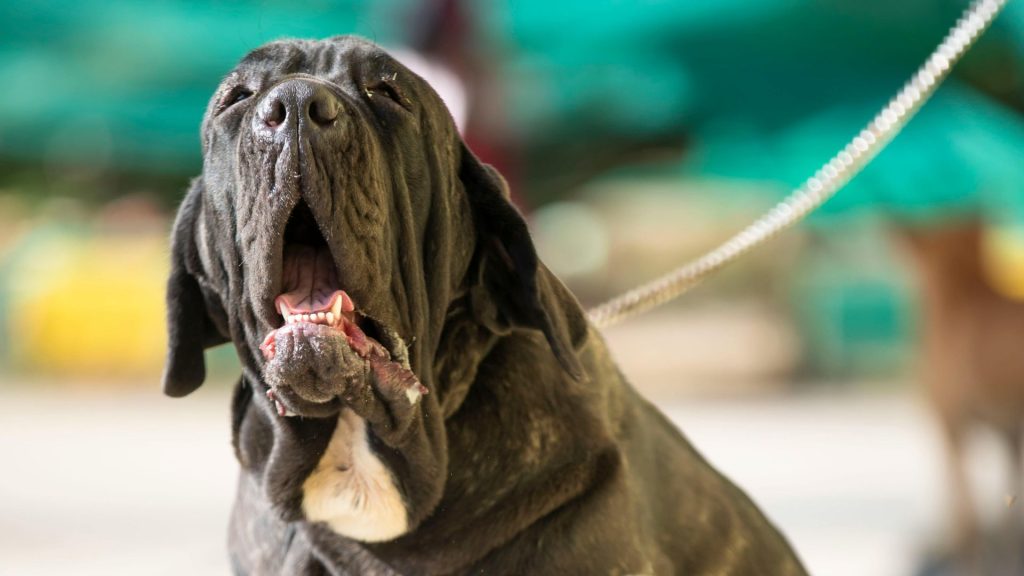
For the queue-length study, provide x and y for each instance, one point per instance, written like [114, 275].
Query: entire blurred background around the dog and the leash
[862, 377]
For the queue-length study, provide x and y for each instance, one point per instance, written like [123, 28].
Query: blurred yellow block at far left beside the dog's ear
[91, 306]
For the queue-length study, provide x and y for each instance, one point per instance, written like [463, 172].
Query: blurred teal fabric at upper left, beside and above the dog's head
[126, 83]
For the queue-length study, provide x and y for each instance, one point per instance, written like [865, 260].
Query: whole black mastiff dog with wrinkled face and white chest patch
[420, 395]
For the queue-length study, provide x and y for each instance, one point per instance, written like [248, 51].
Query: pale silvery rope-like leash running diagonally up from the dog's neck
[820, 188]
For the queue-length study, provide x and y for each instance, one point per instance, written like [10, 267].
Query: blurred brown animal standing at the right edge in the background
[972, 364]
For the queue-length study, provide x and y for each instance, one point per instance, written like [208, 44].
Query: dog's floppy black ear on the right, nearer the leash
[526, 293]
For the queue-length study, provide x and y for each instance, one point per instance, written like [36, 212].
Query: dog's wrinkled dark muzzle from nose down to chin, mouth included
[307, 275]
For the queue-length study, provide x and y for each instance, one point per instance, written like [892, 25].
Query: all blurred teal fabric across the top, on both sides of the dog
[763, 91]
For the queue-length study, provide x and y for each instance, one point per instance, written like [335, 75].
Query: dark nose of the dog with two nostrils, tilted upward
[310, 104]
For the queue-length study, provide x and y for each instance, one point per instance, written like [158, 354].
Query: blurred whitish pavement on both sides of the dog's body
[122, 483]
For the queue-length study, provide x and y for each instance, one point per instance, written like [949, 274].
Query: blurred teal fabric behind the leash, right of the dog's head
[767, 91]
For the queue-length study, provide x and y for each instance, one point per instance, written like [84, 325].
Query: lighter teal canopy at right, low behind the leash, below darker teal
[962, 154]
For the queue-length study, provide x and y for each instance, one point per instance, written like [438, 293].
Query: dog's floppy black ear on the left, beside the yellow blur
[190, 328]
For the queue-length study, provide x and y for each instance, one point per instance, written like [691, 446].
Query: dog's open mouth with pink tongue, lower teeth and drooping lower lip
[318, 315]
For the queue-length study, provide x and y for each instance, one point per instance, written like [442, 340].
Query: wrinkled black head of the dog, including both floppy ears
[338, 217]
